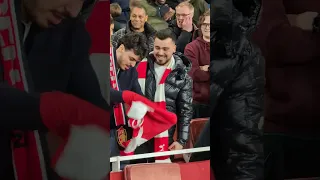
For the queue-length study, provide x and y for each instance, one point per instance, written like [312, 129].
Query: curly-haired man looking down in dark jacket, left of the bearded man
[132, 49]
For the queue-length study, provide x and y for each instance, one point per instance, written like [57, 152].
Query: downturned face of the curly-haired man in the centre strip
[126, 58]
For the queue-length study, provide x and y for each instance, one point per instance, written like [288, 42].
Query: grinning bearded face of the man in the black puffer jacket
[163, 50]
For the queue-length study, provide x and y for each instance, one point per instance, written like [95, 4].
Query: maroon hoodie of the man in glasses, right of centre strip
[198, 52]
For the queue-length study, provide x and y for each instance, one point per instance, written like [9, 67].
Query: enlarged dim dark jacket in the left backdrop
[57, 60]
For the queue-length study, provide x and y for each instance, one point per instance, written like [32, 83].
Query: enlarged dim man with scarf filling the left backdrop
[46, 78]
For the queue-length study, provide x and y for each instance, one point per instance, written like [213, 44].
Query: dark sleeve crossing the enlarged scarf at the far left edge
[19, 110]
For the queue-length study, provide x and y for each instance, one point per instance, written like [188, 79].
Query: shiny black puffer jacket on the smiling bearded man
[178, 92]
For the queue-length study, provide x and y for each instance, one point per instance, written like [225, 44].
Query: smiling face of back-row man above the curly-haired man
[138, 18]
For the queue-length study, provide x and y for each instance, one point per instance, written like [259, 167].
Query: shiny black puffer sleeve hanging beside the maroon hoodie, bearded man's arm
[184, 111]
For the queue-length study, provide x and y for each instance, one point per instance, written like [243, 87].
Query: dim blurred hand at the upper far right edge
[303, 21]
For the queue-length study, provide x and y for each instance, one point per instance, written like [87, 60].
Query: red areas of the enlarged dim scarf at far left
[25, 159]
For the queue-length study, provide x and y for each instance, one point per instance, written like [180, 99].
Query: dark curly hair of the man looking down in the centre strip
[135, 41]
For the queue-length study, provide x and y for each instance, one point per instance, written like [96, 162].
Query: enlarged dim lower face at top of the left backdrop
[51, 12]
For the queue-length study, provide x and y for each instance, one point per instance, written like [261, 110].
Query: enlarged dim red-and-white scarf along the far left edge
[28, 160]
